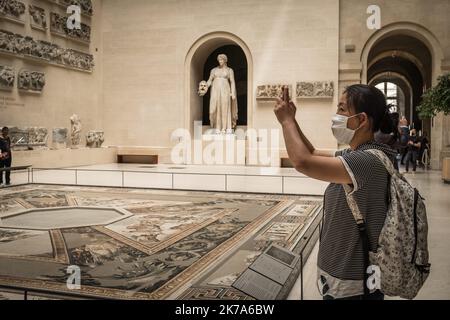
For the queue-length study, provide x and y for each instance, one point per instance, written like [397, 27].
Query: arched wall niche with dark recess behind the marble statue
[201, 56]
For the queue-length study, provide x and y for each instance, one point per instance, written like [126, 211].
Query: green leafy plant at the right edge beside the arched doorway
[436, 100]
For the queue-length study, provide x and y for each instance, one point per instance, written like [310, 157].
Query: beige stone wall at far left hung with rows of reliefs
[69, 88]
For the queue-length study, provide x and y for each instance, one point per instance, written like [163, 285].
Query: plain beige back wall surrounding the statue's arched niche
[146, 45]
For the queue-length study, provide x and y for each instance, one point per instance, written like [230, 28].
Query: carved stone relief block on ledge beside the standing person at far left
[28, 137]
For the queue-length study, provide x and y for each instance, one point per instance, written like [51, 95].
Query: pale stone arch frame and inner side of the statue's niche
[195, 62]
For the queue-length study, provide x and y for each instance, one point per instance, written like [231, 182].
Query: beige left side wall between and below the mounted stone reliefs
[66, 91]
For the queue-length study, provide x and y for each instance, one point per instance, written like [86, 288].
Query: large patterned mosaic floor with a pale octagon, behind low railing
[142, 244]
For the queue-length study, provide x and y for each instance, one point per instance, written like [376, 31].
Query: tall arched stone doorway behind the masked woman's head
[415, 54]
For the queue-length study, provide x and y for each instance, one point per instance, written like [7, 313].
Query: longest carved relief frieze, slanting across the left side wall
[44, 51]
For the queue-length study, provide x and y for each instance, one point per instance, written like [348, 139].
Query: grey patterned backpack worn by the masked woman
[402, 253]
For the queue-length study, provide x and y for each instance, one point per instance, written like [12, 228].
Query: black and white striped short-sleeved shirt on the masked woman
[340, 252]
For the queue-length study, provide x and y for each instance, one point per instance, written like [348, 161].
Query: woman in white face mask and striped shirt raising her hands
[361, 112]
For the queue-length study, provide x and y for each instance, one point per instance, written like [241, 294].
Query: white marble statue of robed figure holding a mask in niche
[223, 109]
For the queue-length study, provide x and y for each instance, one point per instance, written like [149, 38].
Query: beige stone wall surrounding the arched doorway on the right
[423, 20]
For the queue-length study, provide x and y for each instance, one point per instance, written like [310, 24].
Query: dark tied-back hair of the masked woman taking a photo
[371, 101]
